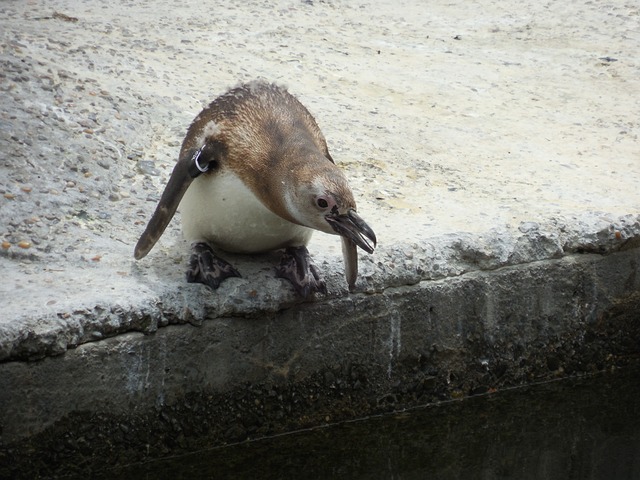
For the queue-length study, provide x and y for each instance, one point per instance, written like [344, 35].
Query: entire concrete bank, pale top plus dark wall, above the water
[494, 155]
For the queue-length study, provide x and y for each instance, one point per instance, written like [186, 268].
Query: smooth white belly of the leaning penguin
[221, 210]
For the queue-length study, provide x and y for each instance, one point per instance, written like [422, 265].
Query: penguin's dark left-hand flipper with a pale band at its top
[186, 170]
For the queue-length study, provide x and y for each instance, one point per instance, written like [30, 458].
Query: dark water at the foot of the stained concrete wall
[583, 427]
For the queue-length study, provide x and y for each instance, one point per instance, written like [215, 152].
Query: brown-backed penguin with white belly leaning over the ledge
[254, 175]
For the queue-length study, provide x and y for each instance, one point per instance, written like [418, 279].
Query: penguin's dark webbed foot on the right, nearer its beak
[297, 267]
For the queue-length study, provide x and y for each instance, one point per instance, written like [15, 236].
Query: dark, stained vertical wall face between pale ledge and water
[136, 396]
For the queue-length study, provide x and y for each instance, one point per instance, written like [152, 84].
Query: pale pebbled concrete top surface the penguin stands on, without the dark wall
[476, 137]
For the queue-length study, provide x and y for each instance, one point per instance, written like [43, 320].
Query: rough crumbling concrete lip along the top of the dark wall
[36, 336]
